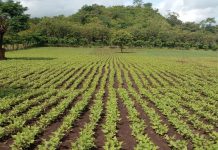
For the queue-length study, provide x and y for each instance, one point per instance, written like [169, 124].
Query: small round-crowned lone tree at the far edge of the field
[121, 38]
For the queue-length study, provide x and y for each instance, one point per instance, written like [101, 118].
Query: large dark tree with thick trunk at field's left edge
[12, 20]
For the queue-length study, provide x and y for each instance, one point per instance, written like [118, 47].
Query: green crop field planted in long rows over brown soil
[68, 98]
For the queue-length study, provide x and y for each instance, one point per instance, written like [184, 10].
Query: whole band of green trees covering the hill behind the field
[139, 25]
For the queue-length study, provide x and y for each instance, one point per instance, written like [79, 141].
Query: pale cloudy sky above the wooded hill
[189, 10]
